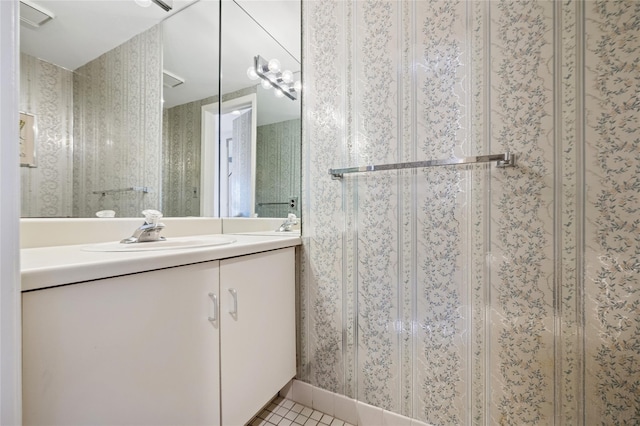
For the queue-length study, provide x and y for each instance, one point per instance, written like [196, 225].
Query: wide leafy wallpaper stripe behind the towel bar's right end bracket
[522, 253]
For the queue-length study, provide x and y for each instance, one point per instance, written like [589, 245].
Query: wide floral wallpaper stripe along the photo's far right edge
[612, 224]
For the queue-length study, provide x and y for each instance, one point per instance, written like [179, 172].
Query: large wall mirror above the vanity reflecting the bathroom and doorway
[131, 112]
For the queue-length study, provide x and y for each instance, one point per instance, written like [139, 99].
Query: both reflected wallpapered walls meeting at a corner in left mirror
[101, 105]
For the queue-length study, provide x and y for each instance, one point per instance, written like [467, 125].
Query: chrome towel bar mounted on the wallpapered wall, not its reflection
[507, 159]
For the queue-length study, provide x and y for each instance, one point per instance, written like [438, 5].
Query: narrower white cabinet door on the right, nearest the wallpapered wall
[257, 331]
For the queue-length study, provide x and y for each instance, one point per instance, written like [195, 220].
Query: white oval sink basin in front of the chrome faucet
[168, 244]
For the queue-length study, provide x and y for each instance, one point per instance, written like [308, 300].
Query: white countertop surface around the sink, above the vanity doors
[52, 266]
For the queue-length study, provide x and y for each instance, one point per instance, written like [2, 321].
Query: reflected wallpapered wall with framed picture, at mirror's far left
[46, 91]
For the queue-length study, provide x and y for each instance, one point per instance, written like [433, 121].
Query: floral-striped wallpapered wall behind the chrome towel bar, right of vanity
[474, 295]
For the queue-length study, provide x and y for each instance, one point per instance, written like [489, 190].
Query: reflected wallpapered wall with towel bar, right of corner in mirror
[117, 130]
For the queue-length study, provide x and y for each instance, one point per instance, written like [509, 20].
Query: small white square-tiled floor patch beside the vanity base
[285, 412]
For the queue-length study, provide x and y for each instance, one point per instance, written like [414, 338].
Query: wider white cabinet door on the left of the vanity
[138, 349]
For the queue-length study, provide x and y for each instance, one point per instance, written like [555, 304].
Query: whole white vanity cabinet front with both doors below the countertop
[171, 346]
